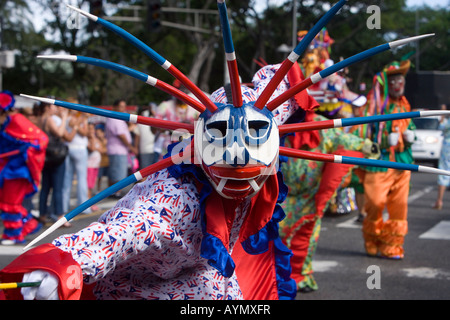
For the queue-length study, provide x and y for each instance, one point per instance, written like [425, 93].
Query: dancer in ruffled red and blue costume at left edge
[22, 151]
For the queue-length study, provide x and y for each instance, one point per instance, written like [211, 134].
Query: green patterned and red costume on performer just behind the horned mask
[308, 199]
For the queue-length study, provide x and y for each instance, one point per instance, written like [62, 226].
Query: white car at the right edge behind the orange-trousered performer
[428, 144]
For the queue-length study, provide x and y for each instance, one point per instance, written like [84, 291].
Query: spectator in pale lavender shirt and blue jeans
[119, 144]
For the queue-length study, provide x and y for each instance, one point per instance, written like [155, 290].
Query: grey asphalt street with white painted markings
[341, 268]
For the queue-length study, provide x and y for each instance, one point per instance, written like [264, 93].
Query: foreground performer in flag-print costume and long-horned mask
[173, 235]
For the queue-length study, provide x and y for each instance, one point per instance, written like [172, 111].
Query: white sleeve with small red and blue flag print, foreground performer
[157, 220]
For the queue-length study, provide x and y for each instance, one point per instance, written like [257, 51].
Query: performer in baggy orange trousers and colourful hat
[388, 187]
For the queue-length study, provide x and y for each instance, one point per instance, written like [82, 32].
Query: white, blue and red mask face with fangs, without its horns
[237, 148]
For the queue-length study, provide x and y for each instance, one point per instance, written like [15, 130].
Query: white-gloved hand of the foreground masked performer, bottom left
[48, 290]
